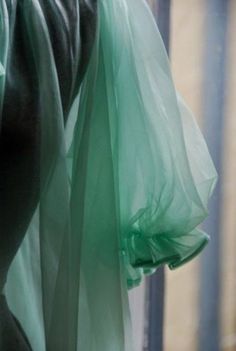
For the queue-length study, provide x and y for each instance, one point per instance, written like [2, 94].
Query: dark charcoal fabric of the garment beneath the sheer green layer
[20, 134]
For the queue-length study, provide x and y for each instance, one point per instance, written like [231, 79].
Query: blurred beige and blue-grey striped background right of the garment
[194, 307]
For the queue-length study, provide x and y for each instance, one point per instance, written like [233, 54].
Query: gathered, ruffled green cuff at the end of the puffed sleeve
[145, 253]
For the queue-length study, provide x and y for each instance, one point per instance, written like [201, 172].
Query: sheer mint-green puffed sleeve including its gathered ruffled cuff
[163, 173]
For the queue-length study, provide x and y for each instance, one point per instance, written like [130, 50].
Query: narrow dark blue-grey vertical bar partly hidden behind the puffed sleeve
[157, 281]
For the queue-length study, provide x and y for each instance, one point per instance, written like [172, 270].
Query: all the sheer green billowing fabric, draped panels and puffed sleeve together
[123, 186]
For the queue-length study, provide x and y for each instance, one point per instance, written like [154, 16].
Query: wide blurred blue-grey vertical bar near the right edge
[213, 113]
